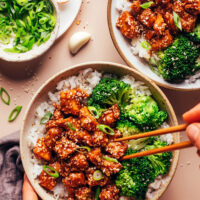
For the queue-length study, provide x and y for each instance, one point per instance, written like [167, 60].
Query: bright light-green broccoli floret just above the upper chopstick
[145, 113]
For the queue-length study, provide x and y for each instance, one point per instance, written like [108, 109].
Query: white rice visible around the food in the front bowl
[87, 80]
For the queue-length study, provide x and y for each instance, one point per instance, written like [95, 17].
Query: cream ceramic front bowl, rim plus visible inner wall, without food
[41, 96]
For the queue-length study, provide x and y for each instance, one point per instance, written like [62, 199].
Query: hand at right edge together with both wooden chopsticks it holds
[191, 116]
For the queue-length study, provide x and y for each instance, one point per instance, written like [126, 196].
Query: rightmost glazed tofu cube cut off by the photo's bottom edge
[109, 192]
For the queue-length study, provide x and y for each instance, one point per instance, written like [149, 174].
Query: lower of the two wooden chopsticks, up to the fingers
[159, 150]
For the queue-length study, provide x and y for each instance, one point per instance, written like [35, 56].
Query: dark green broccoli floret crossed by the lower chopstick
[138, 173]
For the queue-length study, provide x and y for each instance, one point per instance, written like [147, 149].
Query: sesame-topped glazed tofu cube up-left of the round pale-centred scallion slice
[79, 162]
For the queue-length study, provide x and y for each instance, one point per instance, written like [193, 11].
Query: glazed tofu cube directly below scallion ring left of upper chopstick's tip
[99, 138]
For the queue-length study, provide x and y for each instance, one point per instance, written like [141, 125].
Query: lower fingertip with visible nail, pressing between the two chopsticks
[193, 132]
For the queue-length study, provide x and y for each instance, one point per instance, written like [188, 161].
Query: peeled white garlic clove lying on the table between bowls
[78, 40]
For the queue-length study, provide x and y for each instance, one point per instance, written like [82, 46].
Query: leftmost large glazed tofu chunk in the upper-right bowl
[128, 25]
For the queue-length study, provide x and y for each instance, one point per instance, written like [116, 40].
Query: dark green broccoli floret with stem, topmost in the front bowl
[109, 91]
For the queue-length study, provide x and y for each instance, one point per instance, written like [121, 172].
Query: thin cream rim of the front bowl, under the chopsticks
[123, 67]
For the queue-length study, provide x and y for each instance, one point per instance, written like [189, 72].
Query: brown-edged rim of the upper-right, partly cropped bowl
[120, 51]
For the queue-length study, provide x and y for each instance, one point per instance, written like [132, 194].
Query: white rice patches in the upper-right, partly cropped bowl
[136, 44]
